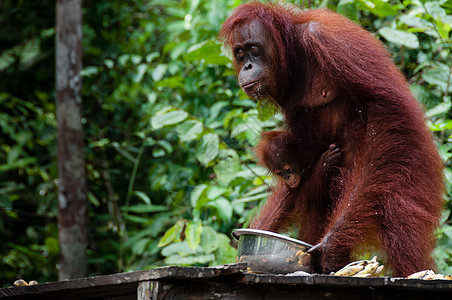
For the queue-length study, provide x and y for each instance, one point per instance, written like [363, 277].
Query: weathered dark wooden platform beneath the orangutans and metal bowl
[230, 282]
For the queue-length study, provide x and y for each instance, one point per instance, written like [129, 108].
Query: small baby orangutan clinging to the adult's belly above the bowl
[300, 177]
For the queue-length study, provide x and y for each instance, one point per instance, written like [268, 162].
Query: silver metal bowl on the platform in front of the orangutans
[269, 252]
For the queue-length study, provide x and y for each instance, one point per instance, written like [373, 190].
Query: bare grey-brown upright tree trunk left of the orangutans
[72, 211]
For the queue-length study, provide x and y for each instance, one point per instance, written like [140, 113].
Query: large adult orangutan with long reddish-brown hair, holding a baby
[336, 84]
